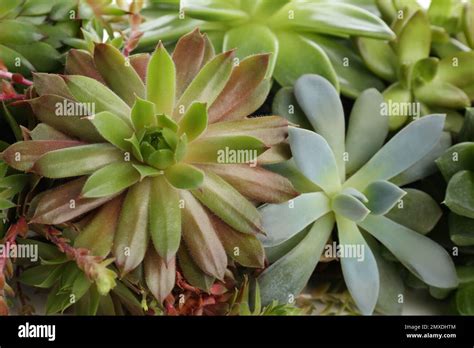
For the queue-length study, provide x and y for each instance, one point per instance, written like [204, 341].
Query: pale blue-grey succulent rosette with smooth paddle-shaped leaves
[353, 181]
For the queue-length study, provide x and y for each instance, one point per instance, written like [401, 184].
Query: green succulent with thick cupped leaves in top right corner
[421, 82]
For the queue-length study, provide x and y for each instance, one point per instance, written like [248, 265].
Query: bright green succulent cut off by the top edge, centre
[303, 36]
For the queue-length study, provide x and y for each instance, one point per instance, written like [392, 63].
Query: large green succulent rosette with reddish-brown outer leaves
[147, 161]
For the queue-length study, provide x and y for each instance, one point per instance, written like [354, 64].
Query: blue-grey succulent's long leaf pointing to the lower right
[423, 257]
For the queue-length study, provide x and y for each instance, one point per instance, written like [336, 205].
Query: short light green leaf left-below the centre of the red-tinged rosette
[110, 179]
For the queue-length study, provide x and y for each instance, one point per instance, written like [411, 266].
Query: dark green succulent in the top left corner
[33, 32]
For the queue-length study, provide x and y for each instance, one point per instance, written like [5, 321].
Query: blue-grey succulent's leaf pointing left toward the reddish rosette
[282, 221]
